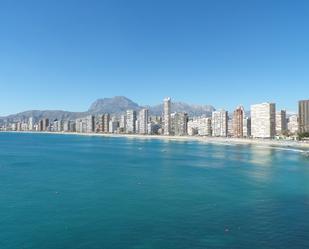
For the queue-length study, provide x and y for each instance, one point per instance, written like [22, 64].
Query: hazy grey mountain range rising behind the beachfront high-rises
[116, 105]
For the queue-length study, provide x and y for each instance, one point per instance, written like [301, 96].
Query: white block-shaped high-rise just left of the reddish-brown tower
[219, 123]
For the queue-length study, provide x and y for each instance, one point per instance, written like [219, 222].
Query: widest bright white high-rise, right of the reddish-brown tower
[263, 120]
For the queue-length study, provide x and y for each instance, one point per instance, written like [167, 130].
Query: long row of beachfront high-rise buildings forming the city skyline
[263, 122]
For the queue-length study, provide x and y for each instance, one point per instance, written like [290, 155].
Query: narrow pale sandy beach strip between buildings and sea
[277, 144]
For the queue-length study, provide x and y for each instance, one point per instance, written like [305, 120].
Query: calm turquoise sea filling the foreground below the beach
[60, 191]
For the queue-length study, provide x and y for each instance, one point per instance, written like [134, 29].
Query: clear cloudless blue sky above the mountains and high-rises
[64, 54]
